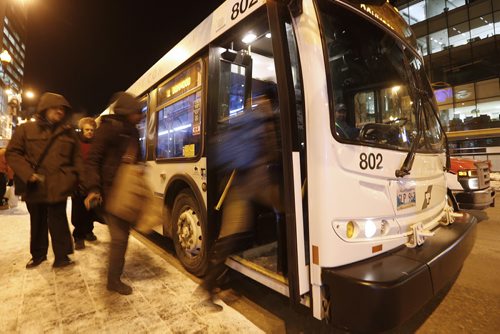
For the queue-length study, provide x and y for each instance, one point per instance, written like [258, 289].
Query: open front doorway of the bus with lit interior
[240, 73]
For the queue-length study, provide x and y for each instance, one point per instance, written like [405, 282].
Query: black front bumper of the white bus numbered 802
[385, 291]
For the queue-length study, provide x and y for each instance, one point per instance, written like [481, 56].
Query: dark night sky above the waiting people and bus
[89, 49]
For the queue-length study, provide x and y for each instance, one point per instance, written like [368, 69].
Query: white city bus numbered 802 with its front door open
[365, 233]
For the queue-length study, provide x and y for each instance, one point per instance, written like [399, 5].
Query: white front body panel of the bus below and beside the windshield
[338, 187]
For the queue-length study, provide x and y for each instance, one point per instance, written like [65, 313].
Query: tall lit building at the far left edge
[13, 19]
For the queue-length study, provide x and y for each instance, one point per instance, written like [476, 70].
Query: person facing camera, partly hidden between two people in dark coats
[81, 218]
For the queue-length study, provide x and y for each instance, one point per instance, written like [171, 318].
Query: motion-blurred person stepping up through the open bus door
[255, 181]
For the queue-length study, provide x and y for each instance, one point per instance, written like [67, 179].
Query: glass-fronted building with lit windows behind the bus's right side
[460, 42]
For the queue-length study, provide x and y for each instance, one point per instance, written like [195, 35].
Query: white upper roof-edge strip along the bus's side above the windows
[213, 26]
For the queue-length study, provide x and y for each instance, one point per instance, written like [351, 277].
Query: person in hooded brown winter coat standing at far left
[48, 187]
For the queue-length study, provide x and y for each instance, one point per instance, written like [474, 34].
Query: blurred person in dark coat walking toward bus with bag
[114, 135]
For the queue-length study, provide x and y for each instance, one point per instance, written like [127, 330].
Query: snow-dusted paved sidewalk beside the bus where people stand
[75, 299]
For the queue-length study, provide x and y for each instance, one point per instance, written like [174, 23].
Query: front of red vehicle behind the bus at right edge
[469, 184]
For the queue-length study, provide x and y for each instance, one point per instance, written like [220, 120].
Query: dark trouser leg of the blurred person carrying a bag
[119, 231]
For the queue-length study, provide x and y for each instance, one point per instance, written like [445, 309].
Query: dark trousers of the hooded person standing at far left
[49, 218]
